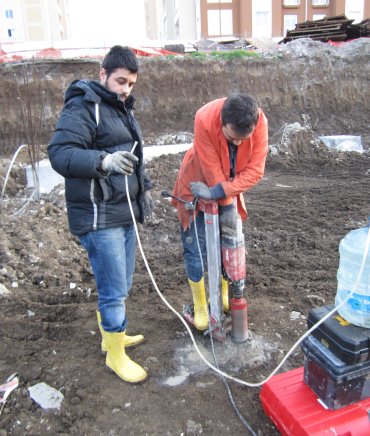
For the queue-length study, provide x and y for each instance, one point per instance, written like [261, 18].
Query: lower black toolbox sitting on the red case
[332, 380]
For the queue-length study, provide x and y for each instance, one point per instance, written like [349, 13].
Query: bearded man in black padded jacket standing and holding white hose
[92, 147]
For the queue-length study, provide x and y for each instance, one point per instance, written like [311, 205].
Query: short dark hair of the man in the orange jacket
[241, 111]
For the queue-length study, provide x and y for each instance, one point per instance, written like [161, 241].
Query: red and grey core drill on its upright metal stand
[225, 258]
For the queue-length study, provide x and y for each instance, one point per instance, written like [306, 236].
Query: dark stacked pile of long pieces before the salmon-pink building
[337, 28]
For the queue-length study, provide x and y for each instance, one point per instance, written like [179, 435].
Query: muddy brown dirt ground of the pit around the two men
[308, 200]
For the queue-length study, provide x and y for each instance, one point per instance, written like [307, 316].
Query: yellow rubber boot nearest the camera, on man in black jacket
[118, 361]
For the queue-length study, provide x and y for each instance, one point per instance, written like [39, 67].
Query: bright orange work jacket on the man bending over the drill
[208, 161]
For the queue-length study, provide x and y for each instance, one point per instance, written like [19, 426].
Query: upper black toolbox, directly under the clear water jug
[348, 342]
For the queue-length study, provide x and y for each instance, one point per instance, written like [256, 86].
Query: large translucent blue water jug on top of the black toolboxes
[351, 252]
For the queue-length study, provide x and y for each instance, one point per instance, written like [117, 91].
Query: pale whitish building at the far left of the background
[33, 20]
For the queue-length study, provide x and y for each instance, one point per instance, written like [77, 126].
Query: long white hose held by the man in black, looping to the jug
[218, 371]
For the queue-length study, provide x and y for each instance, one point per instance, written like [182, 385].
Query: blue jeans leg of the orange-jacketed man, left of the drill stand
[192, 259]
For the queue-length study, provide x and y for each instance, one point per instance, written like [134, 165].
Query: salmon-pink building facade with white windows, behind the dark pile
[271, 18]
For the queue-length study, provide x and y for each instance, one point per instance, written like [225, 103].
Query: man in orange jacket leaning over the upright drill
[227, 158]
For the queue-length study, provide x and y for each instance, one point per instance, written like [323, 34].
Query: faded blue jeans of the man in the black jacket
[112, 257]
